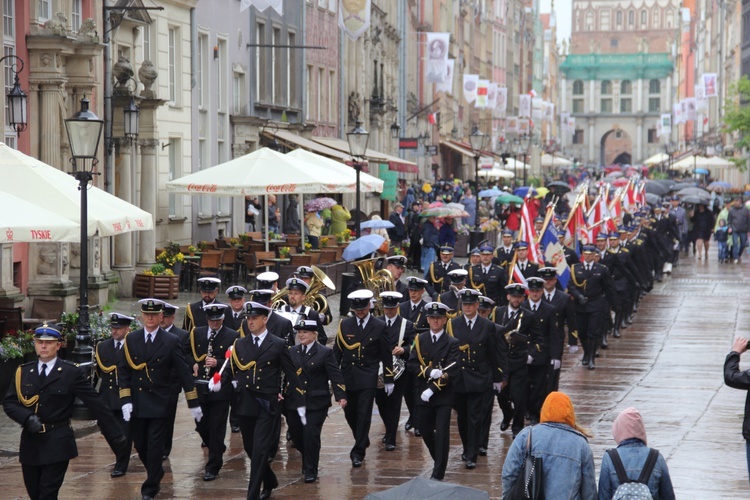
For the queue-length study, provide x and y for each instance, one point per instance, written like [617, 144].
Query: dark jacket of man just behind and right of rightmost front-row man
[481, 361]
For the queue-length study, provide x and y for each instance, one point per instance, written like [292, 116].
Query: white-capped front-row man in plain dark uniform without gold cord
[315, 366]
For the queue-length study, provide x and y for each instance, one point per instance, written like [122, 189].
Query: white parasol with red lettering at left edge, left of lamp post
[22, 221]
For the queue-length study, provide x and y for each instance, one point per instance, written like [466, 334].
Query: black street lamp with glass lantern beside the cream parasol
[84, 132]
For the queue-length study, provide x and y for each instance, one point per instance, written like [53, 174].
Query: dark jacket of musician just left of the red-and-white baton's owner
[224, 339]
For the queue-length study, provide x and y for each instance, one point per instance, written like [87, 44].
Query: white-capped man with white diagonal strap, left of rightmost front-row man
[399, 333]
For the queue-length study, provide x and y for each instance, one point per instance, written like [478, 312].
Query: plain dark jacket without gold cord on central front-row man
[314, 370]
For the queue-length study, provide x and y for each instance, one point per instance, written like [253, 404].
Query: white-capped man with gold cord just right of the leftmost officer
[108, 355]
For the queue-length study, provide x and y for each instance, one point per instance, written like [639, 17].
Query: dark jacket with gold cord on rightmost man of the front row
[426, 356]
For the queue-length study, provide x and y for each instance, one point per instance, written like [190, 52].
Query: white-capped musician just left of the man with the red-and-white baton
[208, 348]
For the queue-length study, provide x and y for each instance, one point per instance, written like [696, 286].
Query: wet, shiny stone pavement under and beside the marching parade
[668, 364]
